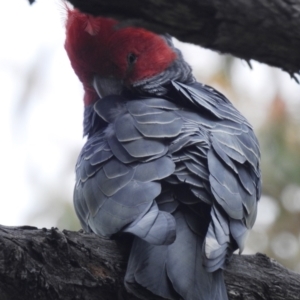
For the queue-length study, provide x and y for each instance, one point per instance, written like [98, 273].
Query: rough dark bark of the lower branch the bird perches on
[50, 264]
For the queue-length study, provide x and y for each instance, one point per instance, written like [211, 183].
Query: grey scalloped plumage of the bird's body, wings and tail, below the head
[181, 173]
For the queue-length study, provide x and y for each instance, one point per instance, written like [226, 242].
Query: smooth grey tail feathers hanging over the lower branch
[173, 271]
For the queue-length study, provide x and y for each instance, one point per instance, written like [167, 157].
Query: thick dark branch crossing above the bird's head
[267, 31]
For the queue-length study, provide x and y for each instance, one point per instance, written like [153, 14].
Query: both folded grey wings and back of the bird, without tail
[155, 154]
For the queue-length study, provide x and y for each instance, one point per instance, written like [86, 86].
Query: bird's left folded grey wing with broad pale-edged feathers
[120, 168]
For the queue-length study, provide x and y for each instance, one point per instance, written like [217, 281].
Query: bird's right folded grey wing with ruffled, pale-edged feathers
[224, 173]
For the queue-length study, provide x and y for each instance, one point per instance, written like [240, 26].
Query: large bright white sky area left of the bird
[52, 122]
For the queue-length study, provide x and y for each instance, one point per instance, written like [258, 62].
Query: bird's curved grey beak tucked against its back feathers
[105, 86]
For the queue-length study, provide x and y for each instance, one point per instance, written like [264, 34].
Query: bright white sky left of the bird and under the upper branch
[44, 133]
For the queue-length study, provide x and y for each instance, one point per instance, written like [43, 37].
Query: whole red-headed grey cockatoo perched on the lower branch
[167, 159]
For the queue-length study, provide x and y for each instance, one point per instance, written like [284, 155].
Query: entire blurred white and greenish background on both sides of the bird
[41, 127]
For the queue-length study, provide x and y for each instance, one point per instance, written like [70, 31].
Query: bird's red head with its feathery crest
[96, 46]
